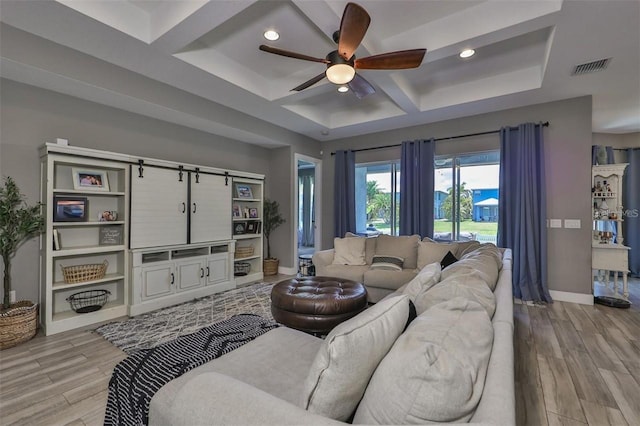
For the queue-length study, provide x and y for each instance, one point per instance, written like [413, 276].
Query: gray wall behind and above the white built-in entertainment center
[31, 116]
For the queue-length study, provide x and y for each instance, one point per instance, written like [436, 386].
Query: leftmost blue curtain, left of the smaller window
[344, 193]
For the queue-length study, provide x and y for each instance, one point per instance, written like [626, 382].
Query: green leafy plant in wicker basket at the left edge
[18, 224]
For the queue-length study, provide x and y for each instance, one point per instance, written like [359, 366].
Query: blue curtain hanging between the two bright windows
[416, 187]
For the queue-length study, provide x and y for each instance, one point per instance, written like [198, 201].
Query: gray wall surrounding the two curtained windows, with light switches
[568, 171]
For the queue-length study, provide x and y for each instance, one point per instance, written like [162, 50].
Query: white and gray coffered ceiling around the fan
[197, 63]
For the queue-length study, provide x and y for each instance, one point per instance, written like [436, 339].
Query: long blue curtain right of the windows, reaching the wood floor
[522, 209]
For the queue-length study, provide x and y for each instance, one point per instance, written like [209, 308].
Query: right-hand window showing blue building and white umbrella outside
[466, 194]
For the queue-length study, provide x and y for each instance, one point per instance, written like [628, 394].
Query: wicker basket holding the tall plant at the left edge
[18, 324]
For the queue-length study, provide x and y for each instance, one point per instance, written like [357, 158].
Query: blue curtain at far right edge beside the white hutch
[631, 203]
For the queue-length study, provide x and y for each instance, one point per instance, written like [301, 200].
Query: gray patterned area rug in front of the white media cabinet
[153, 328]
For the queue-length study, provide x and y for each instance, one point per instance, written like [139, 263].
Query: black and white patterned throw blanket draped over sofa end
[139, 376]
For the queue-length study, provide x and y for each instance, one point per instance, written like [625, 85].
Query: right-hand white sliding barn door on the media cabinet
[210, 208]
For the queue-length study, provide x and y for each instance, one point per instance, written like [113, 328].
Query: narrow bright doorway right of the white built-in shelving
[307, 206]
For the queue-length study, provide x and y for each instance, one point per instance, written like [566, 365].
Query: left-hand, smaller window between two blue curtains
[378, 198]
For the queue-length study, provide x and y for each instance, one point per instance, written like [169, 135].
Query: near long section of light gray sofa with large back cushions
[453, 363]
